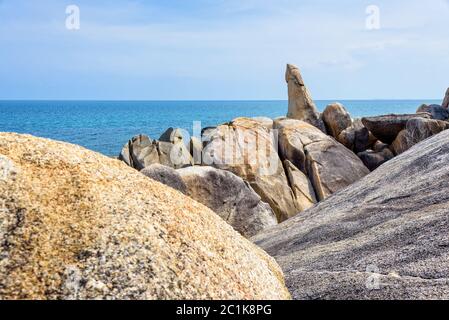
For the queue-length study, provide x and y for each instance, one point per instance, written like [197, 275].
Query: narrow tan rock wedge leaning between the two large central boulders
[301, 186]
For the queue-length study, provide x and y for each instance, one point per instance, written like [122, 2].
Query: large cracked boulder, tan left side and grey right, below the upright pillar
[328, 164]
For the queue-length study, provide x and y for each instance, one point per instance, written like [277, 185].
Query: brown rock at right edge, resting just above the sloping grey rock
[417, 130]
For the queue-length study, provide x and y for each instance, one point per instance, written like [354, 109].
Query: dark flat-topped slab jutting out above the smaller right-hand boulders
[386, 128]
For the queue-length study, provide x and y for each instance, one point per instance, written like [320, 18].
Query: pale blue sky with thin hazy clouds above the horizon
[223, 49]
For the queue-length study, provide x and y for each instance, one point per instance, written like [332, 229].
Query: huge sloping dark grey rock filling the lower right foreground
[384, 237]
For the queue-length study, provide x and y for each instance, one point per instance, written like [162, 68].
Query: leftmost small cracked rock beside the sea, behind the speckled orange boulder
[138, 152]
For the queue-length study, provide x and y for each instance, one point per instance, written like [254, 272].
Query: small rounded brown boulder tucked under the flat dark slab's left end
[357, 137]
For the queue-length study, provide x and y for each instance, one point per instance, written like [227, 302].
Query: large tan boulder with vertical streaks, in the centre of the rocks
[246, 148]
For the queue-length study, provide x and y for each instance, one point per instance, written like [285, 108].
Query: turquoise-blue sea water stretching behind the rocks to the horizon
[104, 126]
